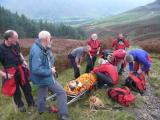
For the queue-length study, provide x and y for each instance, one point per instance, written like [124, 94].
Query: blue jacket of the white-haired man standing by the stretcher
[40, 70]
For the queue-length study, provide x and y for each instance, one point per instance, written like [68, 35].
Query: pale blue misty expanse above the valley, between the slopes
[71, 11]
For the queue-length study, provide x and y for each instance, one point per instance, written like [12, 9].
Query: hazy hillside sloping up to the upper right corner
[139, 23]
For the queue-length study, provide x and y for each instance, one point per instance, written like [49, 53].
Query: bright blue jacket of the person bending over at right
[141, 57]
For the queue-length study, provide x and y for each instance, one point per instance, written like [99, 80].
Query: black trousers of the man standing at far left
[26, 90]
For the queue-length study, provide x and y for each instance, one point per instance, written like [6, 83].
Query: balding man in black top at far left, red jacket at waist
[14, 73]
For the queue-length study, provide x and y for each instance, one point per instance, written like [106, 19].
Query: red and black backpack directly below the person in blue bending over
[136, 82]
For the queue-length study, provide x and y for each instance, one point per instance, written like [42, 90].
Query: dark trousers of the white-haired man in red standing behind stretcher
[90, 63]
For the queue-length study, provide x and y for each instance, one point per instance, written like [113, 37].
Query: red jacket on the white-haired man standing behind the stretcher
[94, 46]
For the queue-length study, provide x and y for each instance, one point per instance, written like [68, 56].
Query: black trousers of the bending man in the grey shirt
[74, 65]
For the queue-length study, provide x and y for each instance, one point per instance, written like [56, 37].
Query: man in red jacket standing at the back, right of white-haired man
[120, 42]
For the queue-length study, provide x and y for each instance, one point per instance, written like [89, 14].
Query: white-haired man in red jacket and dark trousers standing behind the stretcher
[94, 43]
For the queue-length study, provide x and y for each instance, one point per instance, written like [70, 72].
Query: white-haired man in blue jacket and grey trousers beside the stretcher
[42, 74]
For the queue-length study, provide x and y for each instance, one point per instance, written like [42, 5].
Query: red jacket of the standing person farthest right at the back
[117, 45]
